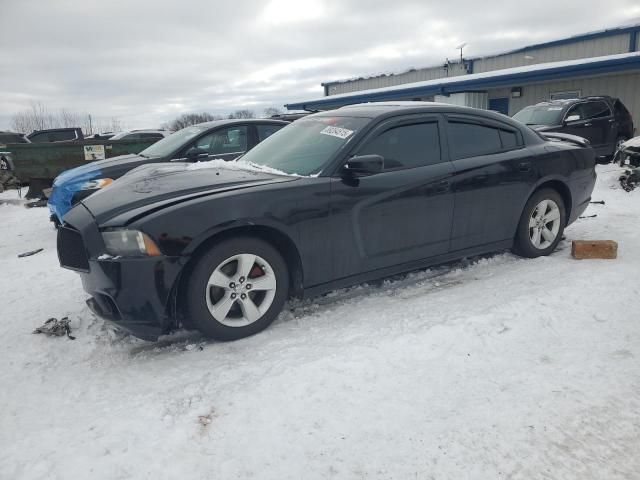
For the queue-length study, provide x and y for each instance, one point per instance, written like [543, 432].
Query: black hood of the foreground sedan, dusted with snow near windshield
[152, 187]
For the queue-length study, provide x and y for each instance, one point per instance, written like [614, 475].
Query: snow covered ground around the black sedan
[499, 368]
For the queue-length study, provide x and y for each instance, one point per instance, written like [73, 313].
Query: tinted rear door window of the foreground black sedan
[470, 139]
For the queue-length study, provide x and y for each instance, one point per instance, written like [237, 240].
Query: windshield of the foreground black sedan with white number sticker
[305, 146]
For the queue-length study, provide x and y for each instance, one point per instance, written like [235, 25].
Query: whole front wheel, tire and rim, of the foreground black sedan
[237, 288]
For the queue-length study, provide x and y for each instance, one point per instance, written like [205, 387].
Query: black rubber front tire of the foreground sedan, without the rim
[196, 295]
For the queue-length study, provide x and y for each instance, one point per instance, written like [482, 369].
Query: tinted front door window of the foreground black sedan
[407, 146]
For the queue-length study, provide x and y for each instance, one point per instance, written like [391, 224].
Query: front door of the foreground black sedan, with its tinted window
[401, 214]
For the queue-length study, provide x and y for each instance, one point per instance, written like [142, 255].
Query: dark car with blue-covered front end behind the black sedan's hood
[221, 139]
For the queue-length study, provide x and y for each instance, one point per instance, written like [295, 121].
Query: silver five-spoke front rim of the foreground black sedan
[240, 290]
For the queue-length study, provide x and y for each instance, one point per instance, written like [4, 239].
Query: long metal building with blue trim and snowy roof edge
[605, 62]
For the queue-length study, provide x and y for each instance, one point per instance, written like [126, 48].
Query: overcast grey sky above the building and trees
[146, 62]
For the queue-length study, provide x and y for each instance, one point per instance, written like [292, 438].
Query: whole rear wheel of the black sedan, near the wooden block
[541, 225]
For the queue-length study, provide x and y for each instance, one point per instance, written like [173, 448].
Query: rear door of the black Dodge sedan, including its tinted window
[492, 175]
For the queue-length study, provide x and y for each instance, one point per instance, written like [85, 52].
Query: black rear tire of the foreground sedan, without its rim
[523, 244]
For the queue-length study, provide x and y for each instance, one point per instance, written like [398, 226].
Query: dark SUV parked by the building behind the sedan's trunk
[604, 121]
